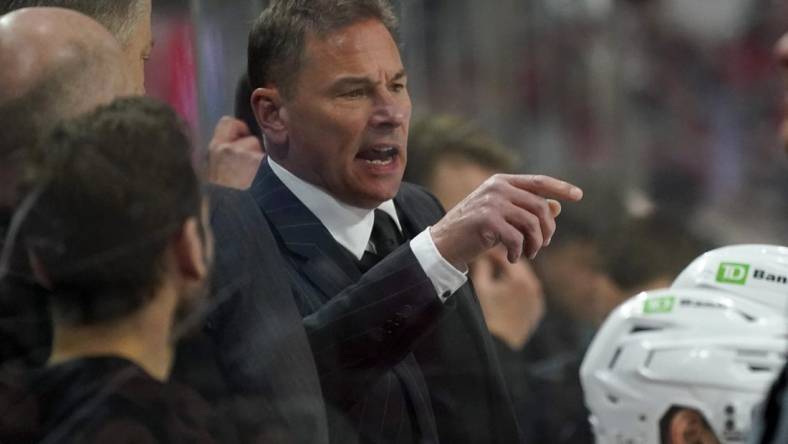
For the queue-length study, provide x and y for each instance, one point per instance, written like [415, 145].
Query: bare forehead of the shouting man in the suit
[354, 49]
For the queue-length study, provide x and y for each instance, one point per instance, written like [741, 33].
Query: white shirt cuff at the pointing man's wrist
[444, 277]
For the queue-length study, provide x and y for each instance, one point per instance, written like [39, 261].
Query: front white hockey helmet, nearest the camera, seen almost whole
[705, 349]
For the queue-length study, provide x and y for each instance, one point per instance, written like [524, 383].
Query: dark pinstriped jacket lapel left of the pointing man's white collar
[325, 262]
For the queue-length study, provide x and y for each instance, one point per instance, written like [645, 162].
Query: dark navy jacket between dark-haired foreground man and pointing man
[254, 331]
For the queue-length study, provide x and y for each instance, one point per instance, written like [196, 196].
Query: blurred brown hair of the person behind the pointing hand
[442, 137]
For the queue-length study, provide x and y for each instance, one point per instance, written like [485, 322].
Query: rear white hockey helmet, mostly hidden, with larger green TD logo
[757, 272]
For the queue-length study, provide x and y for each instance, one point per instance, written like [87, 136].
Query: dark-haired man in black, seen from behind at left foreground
[119, 236]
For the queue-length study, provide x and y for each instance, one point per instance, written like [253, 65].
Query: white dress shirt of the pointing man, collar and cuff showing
[351, 227]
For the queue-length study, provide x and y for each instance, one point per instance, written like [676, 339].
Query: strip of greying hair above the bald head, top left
[120, 17]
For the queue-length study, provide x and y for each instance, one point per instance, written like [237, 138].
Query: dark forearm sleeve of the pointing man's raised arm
[372, 325]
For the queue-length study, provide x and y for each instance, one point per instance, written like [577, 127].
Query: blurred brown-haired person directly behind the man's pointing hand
[451, 157]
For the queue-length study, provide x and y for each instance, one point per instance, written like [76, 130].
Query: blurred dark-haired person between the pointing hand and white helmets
[591, 268]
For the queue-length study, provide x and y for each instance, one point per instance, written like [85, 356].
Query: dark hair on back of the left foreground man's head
[115, 184]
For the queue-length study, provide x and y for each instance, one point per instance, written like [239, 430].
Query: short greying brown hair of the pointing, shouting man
[277, 39]
